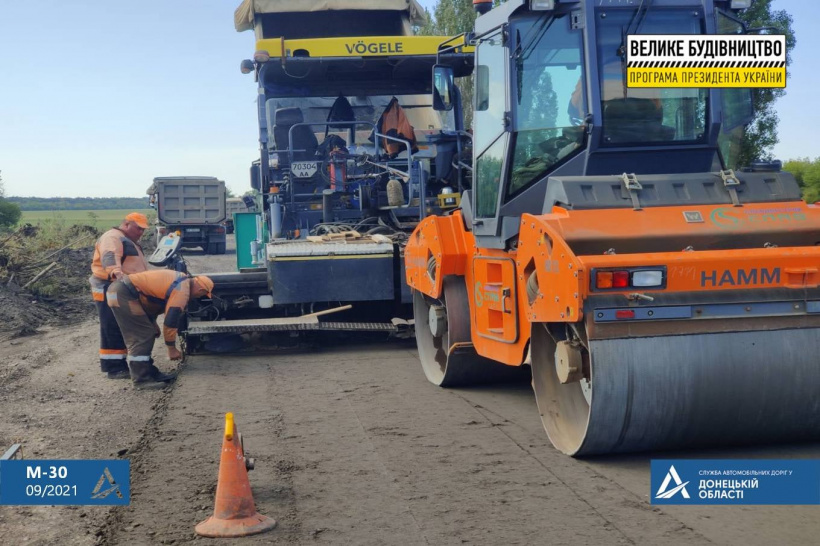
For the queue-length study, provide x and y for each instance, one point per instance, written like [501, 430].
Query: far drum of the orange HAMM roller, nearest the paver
[445, 344]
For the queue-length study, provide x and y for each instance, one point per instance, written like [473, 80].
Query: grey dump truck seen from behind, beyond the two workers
[194, 206]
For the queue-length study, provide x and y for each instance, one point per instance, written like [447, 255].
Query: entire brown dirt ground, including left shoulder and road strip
[352, 446]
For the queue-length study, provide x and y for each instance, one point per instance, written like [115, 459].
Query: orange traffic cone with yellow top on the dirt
[234, 510]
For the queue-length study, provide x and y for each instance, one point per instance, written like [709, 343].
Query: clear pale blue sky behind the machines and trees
[98, 97]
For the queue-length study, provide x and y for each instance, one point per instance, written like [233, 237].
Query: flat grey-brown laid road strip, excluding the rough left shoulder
[353, 446]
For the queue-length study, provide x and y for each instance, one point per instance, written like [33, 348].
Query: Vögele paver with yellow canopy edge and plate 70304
[352, 155]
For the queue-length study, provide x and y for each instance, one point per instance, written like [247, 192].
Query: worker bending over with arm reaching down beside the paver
[137, 300]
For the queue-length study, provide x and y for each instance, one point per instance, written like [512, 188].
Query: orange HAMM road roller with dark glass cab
[661, 295]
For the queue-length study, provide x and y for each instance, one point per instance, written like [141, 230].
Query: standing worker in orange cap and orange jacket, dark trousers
[116, 253]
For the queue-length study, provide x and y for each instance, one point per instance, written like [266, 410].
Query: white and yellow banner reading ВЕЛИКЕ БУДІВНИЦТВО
[706, 61]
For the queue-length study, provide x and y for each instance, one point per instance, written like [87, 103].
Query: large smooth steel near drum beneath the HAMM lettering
[671, 392]
